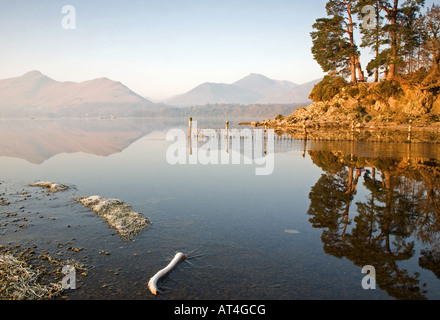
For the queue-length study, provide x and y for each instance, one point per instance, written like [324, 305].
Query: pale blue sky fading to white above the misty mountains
[159, 48]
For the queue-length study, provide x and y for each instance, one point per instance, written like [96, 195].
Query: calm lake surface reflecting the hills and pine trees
[303, 231]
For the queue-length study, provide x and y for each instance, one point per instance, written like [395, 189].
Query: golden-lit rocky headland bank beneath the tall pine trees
[387, 111]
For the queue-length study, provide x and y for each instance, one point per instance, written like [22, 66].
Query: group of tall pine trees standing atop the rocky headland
[395, 37]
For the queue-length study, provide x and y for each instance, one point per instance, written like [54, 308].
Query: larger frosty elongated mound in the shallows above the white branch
[121, 217]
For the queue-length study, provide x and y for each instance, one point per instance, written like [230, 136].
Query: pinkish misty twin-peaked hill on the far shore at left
[35, 94]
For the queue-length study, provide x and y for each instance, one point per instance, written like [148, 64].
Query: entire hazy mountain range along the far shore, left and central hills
[36, 95]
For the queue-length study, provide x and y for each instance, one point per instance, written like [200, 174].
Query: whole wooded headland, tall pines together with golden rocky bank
[403, 38]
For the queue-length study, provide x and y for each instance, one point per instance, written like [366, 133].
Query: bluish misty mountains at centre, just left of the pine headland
[253, 89]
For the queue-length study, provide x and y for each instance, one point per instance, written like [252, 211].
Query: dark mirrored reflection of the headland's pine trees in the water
[402, 205]
